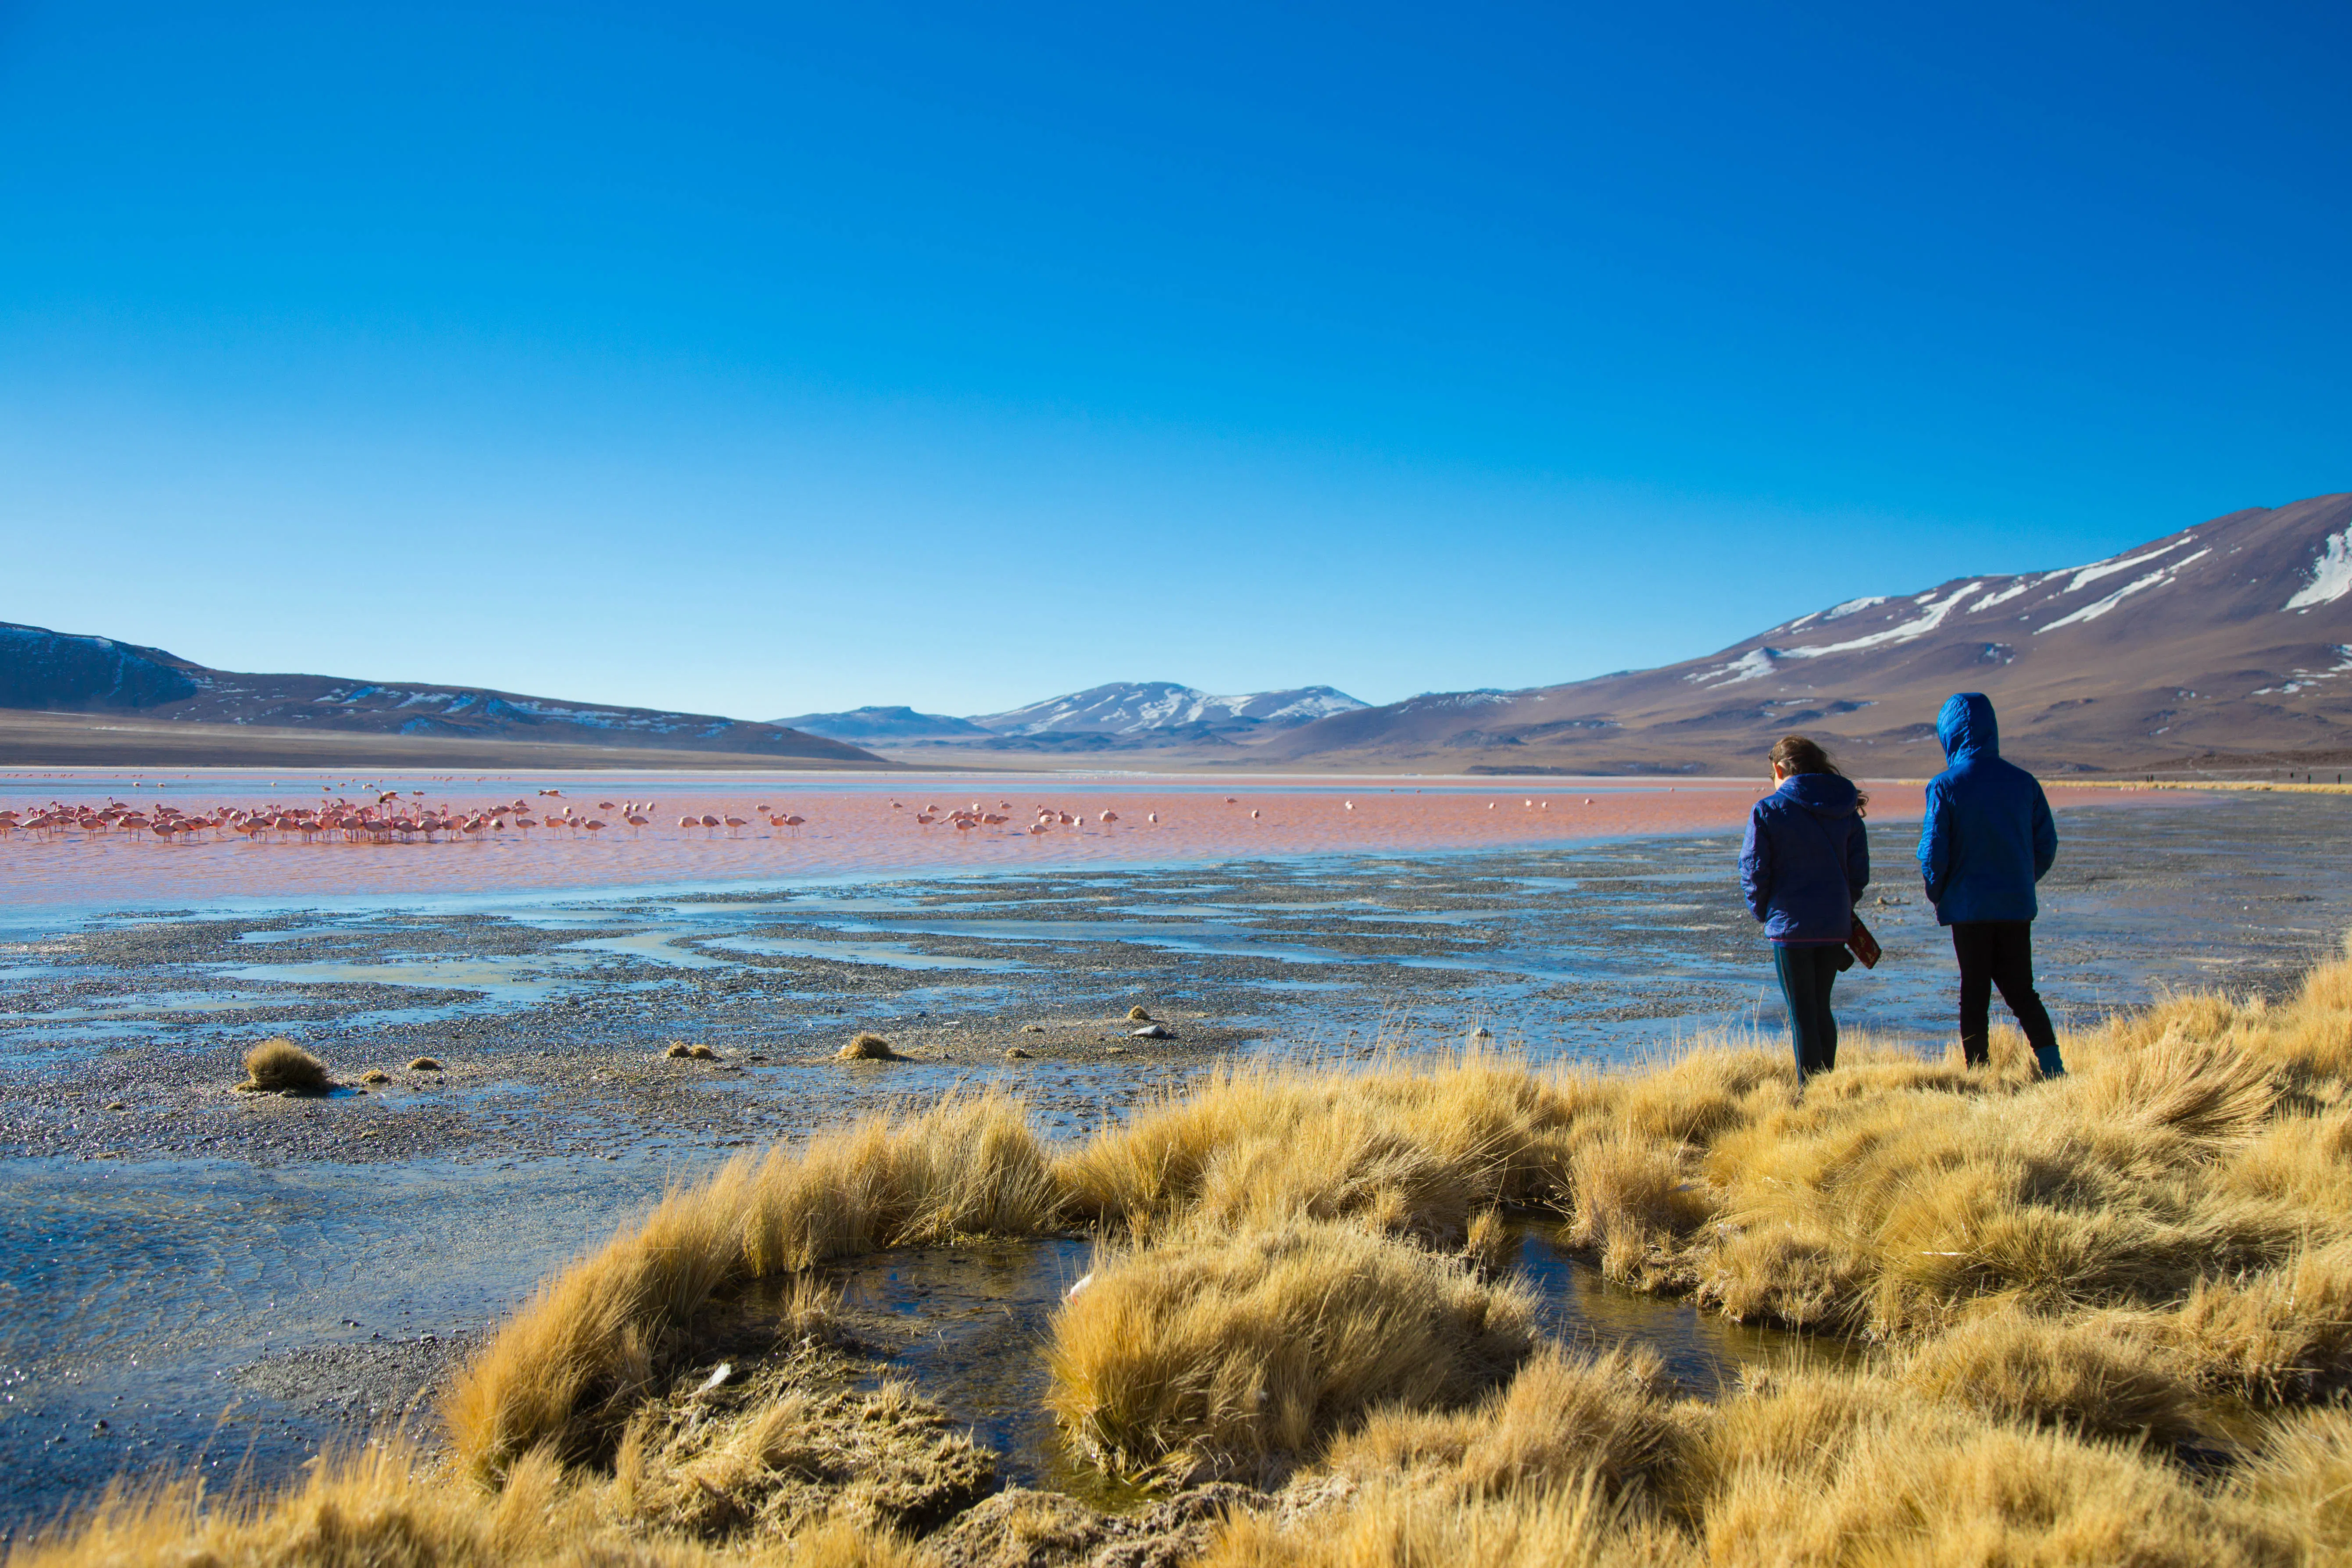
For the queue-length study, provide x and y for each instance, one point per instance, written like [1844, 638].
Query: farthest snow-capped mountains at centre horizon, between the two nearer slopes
[1123, 716]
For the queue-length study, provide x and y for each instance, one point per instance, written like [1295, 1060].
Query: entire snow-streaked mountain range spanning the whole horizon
[2226, 641]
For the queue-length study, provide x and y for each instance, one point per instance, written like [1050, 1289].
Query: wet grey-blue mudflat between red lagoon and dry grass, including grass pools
[178, 1252]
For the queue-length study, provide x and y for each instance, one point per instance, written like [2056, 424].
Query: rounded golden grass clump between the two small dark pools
[1234, 1355]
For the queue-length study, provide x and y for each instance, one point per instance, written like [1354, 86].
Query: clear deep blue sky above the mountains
[766, 361]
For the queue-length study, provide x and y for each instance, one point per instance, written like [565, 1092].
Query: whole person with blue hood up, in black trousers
[1986, 843]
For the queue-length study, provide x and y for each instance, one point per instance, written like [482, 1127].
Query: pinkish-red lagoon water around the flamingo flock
[855, 824]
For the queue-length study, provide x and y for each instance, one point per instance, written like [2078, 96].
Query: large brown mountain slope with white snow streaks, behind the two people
[2226, 638]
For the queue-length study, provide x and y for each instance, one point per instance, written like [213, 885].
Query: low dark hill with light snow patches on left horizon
[65, 674]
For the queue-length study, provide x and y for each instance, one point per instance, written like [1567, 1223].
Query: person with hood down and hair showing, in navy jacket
[1803, 869]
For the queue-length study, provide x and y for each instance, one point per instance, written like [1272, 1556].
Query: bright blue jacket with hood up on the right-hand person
[1989, 833]
